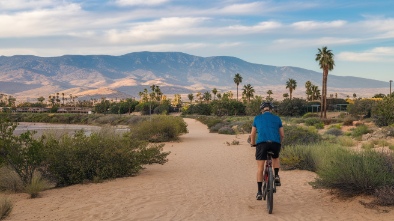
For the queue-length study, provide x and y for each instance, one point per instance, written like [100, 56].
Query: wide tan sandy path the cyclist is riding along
[205, 179]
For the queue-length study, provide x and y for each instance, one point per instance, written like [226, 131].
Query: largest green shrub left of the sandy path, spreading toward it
[102, 155]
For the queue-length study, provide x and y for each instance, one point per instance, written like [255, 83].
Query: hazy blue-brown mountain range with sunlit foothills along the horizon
[29, 77]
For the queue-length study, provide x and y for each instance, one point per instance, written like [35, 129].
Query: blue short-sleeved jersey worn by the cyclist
[267, 125]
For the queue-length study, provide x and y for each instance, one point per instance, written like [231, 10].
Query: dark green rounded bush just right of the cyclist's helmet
[293, 107]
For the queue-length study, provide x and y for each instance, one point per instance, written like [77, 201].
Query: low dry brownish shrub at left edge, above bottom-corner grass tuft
[9, 180]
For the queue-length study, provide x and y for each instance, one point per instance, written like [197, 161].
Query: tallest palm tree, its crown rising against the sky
[325, 58]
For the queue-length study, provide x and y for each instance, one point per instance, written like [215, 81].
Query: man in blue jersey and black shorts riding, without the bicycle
[270, 134]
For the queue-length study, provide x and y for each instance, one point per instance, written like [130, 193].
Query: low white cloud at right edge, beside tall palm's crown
[378, 54]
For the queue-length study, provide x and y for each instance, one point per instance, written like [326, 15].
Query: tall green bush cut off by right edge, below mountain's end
[382, 112]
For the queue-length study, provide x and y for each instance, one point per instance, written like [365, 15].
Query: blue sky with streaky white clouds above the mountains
[360, 33]
